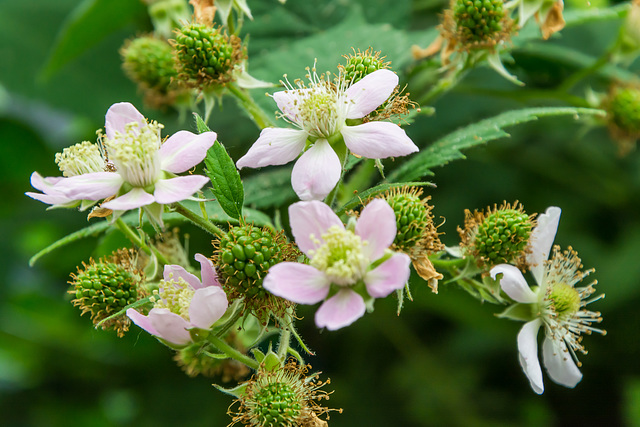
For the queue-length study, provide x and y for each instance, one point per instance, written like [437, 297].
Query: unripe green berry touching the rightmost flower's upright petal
[498, 236]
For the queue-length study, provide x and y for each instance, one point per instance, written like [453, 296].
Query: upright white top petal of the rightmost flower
[541, 241]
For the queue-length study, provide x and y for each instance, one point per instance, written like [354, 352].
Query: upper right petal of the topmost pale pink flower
[370, 92]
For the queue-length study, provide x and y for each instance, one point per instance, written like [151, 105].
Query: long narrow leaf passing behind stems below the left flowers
[214, 213]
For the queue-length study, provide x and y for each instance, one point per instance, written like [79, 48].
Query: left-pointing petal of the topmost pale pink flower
[276, 146]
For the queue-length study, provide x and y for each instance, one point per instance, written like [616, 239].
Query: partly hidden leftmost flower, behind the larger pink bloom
[79, 159]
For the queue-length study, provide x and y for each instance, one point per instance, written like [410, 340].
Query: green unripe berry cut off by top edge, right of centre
[478, 20]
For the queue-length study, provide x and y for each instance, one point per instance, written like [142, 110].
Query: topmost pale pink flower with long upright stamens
[320, 112]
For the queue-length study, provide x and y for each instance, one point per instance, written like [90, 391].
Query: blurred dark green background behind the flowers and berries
[446, 361]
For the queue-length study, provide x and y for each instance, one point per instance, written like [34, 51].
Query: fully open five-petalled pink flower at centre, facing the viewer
[349, 267]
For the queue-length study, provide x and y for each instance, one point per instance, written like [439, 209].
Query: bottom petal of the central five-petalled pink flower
[340, 310]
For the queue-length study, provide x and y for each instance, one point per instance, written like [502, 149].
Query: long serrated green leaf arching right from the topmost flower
[449, 148]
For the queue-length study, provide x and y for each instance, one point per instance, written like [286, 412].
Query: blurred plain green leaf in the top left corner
[87, 25]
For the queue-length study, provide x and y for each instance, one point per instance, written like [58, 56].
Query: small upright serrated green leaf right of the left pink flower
[227, 185]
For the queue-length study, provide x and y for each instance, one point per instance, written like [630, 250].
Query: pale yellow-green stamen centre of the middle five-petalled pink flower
[340, 257]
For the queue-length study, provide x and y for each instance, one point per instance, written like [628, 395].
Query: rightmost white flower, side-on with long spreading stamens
[556, 304]
